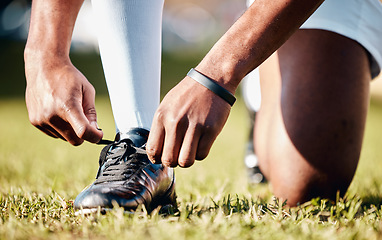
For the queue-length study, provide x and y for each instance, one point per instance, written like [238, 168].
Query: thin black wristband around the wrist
[211, 85]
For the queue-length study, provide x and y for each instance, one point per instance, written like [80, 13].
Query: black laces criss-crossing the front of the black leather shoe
[120, 161]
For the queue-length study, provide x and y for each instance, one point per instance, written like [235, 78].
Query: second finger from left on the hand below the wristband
[172, 142]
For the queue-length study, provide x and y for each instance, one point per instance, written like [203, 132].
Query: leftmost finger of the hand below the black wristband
[154, 144]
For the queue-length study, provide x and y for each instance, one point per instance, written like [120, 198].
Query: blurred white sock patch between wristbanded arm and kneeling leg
[250, 87]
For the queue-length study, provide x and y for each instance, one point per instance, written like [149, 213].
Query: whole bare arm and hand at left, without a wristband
[60, 100]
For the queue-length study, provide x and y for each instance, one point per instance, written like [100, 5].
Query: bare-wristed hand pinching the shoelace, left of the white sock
[60, 100]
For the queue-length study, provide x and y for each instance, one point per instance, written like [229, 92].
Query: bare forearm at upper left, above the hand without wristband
[51, 28]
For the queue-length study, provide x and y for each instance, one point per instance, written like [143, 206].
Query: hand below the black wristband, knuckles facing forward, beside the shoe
[186, 124]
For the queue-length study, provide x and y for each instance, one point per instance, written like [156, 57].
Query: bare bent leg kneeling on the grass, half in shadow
[315, 94]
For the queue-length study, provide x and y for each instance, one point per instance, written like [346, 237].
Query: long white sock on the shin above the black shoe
[129, 35]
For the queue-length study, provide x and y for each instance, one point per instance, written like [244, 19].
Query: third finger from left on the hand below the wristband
[189, 147]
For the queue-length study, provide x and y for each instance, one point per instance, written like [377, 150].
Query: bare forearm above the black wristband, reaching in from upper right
[262, 29]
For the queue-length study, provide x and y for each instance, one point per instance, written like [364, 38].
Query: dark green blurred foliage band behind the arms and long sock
[175, 66]
